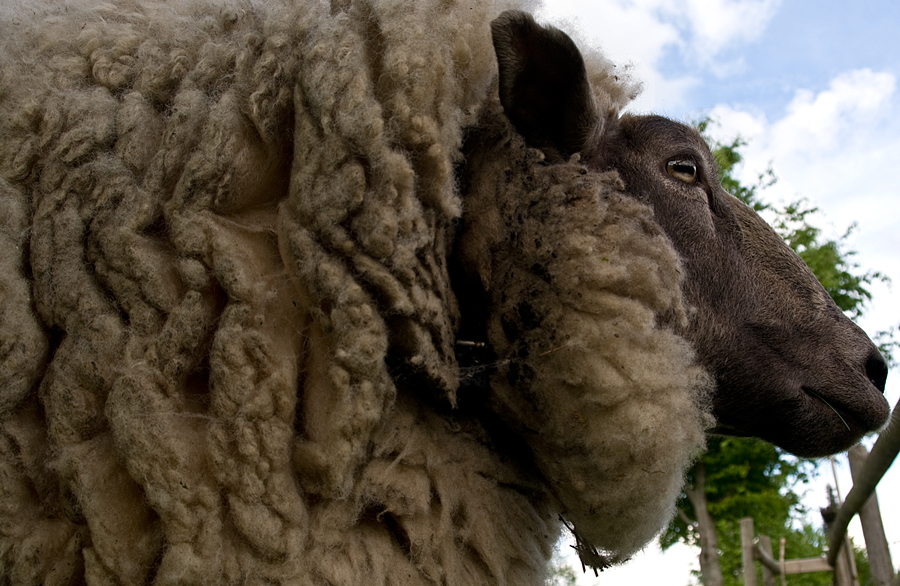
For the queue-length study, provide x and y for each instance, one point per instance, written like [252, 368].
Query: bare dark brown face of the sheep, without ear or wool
[790, 367]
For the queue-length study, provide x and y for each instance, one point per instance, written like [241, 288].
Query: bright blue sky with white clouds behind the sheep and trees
[812, 87]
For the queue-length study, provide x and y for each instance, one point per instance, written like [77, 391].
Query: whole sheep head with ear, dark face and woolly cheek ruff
[626, 295]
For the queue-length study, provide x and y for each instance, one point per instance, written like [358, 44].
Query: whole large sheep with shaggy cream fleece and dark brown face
[313, 293]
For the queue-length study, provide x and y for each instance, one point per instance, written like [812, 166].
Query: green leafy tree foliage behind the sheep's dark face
[739, 477]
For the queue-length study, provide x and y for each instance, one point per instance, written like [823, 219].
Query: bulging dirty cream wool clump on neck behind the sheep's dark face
[584, 288]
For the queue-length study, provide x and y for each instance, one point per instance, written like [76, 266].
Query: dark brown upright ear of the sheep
[544, 87]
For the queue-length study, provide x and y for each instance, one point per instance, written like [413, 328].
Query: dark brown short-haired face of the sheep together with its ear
[790, 367]
